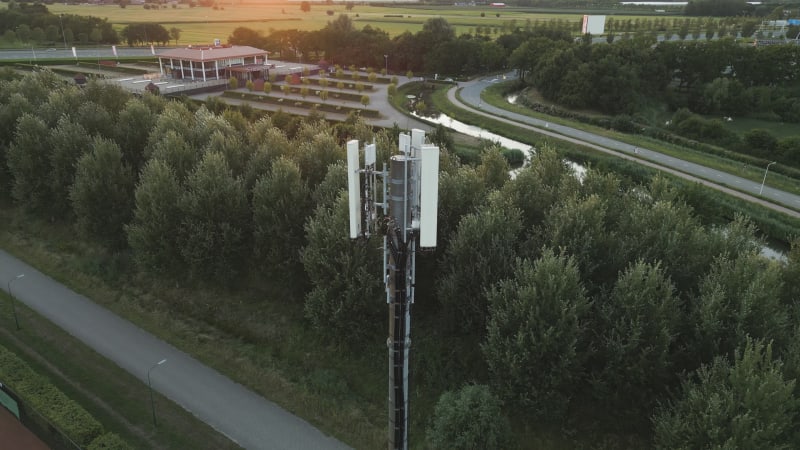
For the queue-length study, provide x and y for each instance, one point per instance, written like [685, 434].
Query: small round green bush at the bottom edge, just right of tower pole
[470, 418]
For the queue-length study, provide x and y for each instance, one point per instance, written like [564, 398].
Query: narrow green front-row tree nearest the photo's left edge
[27, 160]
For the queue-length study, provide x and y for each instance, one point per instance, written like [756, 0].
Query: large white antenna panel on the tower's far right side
[429, 196]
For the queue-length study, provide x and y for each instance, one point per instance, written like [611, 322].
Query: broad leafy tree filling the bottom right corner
[747, 404]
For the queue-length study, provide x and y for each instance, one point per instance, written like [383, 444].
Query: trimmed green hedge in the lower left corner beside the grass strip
[65, 414]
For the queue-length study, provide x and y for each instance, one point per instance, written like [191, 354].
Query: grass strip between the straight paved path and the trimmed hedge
[114, 397]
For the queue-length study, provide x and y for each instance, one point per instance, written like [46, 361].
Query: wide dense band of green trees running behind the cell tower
[568, 300]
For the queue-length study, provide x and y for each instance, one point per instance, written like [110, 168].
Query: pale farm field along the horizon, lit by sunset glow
[200, 24]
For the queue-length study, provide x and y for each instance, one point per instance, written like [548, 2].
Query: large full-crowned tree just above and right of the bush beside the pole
[534, 332]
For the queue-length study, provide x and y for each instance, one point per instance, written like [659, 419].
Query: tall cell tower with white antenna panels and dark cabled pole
[409, 215]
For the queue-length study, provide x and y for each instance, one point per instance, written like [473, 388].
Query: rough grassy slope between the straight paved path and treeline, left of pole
[259, 340]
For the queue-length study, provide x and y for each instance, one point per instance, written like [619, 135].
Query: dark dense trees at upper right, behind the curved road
[717, 77]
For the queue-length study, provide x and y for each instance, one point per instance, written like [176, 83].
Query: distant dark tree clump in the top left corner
[34, 24]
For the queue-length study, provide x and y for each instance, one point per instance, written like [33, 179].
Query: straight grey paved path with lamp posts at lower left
[245, 417]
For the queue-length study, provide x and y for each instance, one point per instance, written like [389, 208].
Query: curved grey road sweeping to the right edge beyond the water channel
[746, 189]
